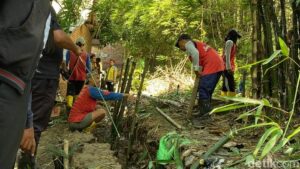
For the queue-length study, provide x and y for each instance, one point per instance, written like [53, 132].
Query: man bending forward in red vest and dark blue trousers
[207, 64]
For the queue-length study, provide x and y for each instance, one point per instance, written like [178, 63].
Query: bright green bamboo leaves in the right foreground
[276, 137]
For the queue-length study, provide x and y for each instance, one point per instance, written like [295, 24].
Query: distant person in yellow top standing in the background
[111, 78]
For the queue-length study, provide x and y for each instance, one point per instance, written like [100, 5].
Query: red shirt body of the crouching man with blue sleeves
[83, 105]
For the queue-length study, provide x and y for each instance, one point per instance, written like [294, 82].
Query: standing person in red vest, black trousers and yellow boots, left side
[78, 68]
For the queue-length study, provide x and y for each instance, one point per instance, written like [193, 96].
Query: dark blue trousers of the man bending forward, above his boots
[208, 84]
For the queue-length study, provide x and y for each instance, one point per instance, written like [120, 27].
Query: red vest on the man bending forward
[209, 59]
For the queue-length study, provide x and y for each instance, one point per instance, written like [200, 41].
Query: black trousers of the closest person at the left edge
[13, 114]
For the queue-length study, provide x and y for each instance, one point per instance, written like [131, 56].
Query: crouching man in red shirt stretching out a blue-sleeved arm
[84, 111]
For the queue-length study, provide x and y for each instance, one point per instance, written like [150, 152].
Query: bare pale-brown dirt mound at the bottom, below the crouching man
[85, 151]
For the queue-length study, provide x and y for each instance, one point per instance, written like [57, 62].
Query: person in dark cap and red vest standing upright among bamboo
[229, 53]
